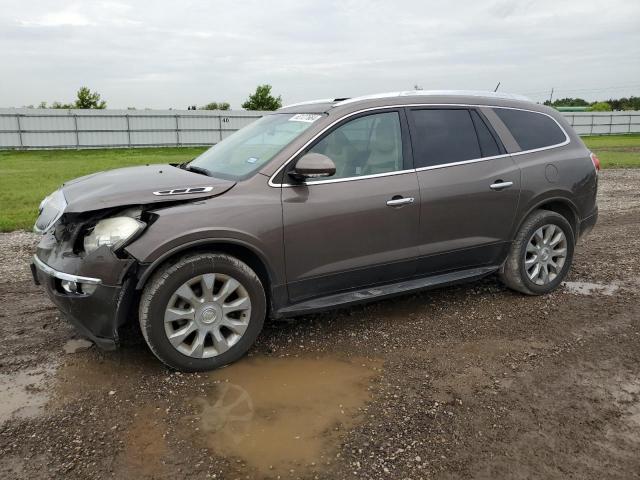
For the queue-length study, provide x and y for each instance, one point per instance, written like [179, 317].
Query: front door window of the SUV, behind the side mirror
[365, 146]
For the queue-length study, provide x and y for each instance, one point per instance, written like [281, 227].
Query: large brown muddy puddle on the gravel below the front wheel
[283, 414]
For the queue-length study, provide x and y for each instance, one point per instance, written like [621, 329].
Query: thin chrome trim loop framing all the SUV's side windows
[271, 183]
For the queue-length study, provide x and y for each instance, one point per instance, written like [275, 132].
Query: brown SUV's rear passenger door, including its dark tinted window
[469, 188]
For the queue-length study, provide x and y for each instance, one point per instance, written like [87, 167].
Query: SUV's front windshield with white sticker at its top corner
[250, 148]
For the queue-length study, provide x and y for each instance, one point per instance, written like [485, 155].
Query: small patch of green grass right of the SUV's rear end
[616, 151]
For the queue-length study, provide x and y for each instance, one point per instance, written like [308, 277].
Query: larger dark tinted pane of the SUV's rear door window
[442, 136]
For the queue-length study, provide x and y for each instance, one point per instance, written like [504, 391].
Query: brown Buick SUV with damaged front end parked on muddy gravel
[318, 205]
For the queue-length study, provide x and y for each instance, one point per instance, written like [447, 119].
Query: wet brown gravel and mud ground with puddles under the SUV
[471, 381]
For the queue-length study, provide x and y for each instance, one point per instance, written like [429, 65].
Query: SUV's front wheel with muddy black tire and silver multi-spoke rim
[202, 312]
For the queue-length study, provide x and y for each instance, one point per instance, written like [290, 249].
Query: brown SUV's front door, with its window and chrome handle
[360, 226]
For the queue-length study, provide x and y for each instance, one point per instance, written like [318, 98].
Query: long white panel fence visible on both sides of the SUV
[26, 128]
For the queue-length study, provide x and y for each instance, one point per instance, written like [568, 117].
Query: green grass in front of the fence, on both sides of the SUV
[27, 177]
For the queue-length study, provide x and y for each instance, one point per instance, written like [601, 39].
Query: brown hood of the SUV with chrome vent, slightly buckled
[136, 185]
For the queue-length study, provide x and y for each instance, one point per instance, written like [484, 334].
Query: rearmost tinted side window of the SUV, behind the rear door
[531, 130]
